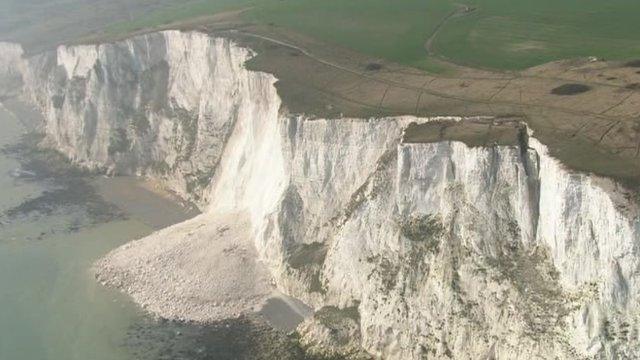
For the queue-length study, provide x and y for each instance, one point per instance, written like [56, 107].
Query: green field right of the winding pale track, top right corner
[516, 34]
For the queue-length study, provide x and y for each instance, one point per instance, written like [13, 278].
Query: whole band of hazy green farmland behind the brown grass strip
[499, 34]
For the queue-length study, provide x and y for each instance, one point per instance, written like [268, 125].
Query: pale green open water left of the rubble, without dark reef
[50, 305]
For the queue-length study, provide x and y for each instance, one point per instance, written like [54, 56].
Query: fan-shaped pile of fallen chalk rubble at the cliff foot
[214, 270]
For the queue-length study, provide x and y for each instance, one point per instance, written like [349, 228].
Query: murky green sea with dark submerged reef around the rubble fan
[53, 227]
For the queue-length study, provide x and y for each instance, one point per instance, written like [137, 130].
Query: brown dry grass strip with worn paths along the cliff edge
[601, 122]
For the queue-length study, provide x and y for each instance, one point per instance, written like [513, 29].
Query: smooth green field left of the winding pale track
[393, 30]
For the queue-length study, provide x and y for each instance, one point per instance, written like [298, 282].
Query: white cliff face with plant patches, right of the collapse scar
[449, 250]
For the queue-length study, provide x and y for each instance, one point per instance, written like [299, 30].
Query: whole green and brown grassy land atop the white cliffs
[367, 58]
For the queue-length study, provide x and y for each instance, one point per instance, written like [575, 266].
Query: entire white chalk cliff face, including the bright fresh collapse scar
[406, 249]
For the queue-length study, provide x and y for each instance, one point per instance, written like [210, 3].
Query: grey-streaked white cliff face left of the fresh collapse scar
[161, 105]
